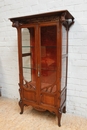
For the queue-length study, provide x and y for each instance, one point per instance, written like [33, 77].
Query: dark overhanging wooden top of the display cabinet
[60, 13]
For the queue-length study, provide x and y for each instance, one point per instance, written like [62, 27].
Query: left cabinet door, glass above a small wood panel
[29, 63]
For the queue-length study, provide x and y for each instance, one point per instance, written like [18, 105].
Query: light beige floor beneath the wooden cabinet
[10, 119]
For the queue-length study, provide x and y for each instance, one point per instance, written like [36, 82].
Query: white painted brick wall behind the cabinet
[77, 66]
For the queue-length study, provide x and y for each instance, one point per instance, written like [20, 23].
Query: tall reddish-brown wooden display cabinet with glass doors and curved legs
[43, 60]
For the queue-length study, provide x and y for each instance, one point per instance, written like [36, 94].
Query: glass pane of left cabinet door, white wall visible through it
[28, 58]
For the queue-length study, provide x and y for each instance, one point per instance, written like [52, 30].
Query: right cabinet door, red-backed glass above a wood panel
[48, 63]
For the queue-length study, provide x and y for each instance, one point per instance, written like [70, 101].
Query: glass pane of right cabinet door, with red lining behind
[48, 58]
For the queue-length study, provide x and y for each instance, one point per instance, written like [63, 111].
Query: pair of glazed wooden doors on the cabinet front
[39, 62]
